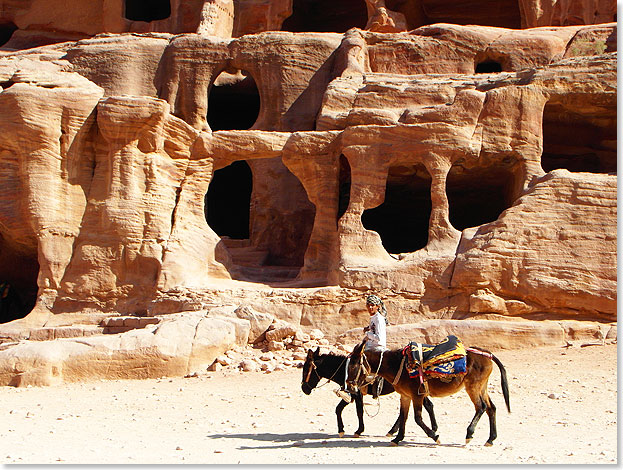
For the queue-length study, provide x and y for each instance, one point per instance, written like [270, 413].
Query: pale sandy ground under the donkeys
[563, 401]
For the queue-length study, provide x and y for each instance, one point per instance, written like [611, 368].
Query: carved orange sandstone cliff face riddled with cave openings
[292, 155]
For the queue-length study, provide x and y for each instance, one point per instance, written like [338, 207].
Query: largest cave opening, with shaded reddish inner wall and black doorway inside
[262, 214]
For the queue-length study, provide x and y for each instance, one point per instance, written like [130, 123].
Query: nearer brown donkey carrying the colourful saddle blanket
[479, 366]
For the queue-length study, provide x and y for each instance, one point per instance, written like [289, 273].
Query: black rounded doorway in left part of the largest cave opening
[228, 201]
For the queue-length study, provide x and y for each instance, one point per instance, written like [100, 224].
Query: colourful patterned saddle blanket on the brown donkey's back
[446, 359]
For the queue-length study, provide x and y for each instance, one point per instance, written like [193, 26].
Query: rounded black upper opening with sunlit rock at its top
[233, 102]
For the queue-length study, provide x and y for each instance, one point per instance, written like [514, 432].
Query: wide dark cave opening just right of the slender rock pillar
[479, 195]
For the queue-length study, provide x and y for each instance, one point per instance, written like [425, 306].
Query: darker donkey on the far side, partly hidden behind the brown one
[333, 367]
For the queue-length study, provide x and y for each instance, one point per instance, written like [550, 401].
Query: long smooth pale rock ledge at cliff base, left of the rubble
[179, 345]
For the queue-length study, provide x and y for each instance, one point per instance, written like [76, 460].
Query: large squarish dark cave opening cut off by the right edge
[583, 139]
